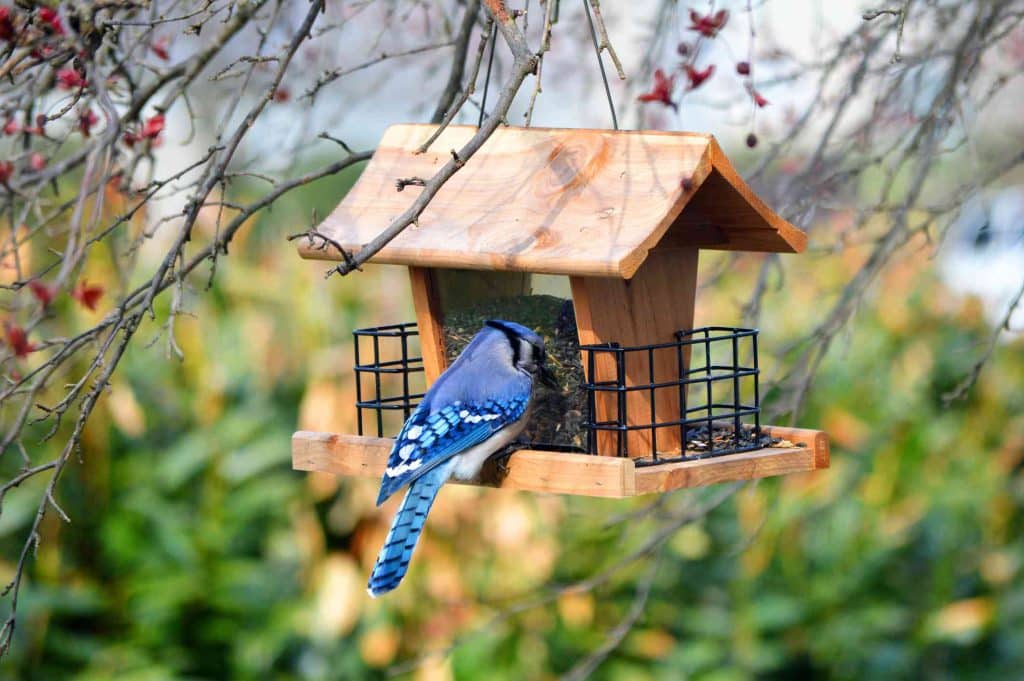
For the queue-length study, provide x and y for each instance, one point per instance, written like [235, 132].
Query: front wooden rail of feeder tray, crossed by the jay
[528, 471]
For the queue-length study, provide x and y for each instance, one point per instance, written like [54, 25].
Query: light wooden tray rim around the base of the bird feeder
[554, 473]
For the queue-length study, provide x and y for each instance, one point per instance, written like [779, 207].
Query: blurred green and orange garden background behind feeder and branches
[195, 551]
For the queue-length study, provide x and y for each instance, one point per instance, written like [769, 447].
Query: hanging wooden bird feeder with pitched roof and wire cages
[617, 220]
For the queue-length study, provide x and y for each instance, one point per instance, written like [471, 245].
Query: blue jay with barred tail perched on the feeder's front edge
[476, 409]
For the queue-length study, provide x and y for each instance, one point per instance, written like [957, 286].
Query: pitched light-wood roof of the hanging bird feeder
[557, 201]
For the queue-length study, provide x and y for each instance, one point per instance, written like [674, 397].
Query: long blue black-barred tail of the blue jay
[395, 557]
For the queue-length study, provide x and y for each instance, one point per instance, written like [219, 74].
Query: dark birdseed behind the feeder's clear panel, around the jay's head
[558, 416]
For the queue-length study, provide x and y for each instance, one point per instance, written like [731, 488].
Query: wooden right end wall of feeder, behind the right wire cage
[647, 310]
